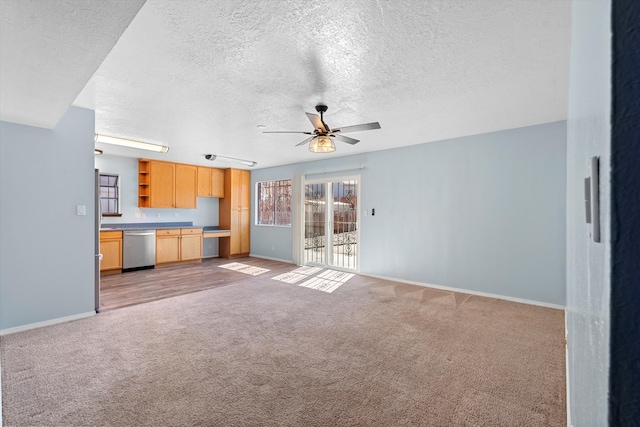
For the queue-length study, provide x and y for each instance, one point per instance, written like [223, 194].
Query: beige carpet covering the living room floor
[267, 353]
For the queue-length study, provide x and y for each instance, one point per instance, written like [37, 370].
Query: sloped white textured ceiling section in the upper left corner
[50, 49]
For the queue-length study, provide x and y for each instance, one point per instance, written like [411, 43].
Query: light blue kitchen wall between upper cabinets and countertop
[126, 168]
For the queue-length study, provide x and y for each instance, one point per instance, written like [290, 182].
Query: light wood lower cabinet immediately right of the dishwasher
[176, 245]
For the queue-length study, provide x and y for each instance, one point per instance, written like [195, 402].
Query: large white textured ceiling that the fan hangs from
[200, 76]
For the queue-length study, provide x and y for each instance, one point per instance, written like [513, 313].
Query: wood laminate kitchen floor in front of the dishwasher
[138, 287]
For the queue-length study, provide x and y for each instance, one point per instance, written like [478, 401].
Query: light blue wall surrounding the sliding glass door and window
[484, 213]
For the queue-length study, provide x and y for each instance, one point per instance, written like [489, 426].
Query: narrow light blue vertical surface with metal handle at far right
[588, 267]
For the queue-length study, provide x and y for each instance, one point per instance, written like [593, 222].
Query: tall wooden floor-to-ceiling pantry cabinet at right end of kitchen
[235, 213]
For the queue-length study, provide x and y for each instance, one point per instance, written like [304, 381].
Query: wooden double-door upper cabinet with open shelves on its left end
[167, 185]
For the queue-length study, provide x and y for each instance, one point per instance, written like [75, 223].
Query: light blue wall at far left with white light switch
[46, 250]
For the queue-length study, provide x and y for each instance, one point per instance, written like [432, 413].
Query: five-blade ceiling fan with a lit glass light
[322, 137]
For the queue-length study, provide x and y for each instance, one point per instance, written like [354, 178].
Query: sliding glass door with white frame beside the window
[331, 233]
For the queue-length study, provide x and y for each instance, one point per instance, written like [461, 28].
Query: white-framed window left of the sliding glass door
[274, 203]
